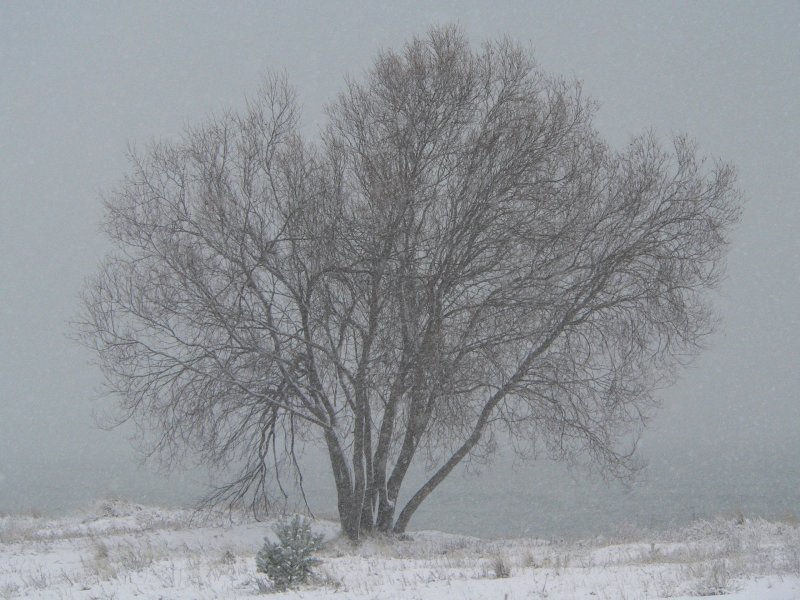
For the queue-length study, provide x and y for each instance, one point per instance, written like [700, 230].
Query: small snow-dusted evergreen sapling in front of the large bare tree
[289, 562]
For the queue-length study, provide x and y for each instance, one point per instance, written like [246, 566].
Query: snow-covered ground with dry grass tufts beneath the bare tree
[119, 550]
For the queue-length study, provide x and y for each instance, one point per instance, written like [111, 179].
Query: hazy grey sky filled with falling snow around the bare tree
[81, 80]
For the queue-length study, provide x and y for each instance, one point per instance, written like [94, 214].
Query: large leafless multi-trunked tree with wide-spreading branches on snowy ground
[459, 257]
